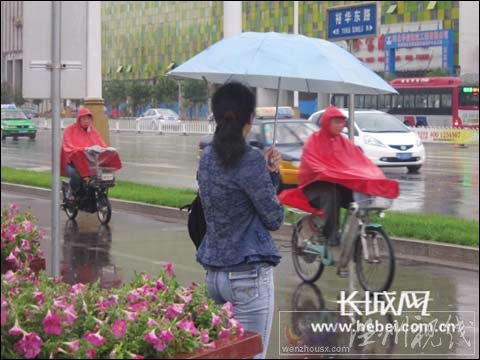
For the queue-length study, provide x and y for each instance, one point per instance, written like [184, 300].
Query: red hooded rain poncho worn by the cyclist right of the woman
[333, 158]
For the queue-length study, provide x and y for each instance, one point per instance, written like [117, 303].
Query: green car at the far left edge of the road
[16, 124]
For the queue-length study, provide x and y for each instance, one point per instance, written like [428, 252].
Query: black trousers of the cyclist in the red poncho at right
[329, 197]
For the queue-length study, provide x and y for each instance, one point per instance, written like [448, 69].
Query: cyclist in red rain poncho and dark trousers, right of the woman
[332, 168]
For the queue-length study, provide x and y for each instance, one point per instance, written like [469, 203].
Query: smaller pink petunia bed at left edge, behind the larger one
[20, 241]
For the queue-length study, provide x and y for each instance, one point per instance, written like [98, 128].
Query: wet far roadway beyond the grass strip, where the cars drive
[447, 184]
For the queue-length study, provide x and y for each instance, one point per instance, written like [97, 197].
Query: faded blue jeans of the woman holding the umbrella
[252, 294]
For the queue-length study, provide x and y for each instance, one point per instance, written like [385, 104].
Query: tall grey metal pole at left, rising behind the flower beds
[56, 68]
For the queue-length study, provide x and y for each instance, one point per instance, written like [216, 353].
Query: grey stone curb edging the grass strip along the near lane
[455, 256]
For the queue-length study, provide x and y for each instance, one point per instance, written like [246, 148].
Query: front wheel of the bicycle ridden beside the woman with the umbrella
[375, 267]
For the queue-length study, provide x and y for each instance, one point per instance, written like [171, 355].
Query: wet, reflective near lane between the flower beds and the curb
[139, 243]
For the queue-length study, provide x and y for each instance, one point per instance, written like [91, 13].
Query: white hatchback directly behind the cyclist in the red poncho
[384, 139]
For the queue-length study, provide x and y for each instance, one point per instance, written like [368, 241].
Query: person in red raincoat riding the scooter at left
[76, 138]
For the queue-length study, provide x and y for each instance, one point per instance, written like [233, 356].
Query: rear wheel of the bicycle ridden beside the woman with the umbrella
[307, 265]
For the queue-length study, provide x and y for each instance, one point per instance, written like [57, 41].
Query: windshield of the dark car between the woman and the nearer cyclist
[290, 134]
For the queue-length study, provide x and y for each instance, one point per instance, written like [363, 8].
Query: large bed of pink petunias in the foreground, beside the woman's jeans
[150, 317]
